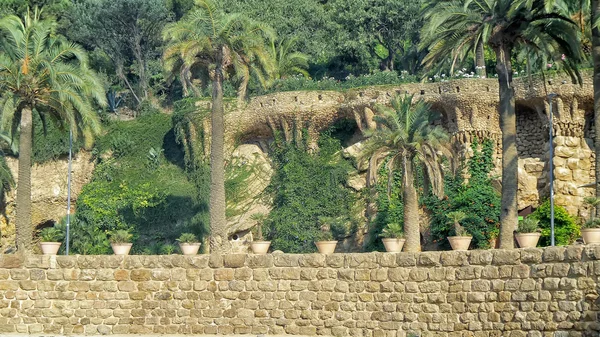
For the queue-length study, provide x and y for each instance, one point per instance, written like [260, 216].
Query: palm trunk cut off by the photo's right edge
[596, 58]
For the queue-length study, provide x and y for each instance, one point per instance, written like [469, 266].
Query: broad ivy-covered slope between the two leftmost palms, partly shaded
[140, 184]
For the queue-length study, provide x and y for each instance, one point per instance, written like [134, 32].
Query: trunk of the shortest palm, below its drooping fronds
[412, 229]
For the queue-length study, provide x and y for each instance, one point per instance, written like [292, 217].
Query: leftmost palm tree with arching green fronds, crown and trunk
[42, 73]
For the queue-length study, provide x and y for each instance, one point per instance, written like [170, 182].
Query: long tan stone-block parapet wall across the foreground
[491, 293]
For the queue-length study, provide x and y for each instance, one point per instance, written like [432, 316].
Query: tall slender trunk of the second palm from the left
[218, 222]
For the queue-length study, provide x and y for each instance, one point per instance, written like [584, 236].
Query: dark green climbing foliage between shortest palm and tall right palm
[477, 198]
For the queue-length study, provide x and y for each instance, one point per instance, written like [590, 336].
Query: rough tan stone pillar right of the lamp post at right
[572, 158]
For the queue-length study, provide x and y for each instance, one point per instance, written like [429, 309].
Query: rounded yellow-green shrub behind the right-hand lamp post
[566, 230]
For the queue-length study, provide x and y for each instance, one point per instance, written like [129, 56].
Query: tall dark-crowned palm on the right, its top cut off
[504, 25]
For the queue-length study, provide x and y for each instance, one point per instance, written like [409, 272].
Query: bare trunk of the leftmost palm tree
[23, 221]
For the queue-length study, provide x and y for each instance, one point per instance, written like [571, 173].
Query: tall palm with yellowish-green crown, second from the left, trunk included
[221, 45]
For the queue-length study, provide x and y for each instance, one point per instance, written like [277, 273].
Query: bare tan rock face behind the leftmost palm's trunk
[48, 191]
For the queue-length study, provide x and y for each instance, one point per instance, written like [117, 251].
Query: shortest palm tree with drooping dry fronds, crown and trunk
[404, 133]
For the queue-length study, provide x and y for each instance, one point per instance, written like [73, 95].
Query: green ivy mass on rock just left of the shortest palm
[306, 187]
